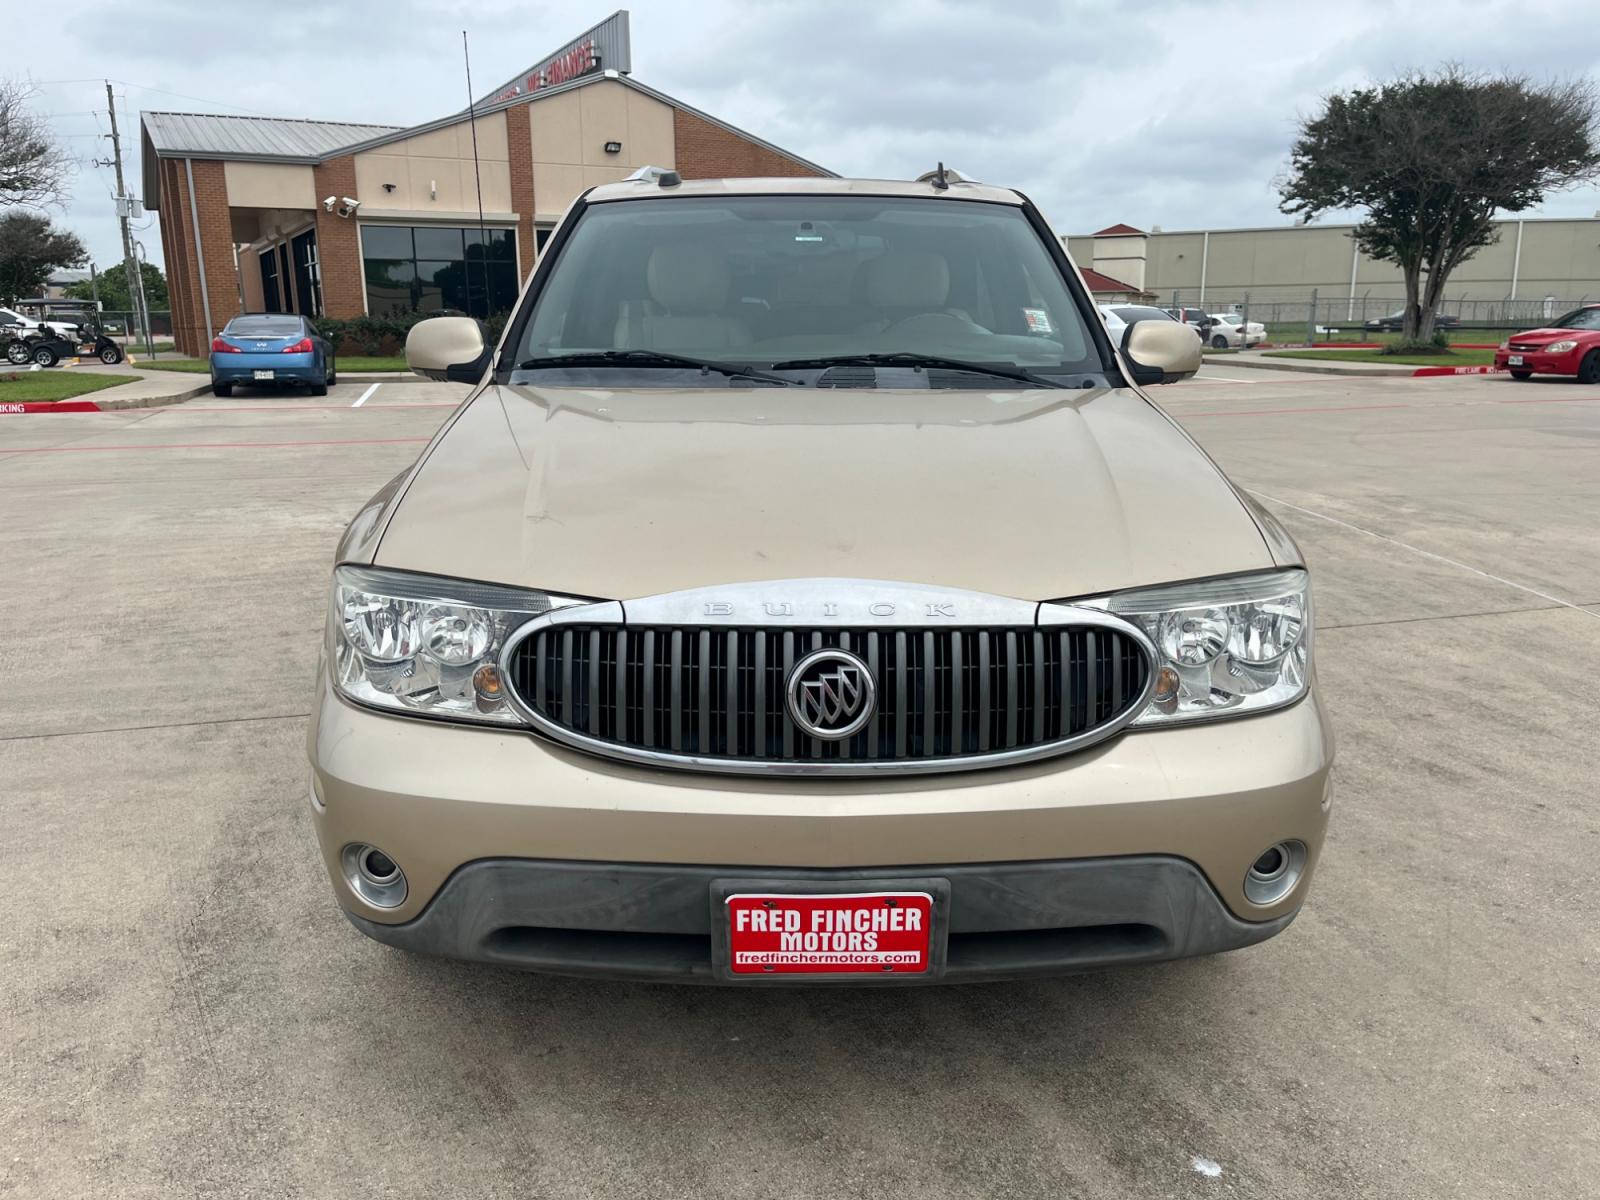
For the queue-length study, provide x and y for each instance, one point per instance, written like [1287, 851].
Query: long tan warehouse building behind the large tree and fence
[1532, 271]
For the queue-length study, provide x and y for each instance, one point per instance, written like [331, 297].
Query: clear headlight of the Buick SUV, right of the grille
[1226, 646]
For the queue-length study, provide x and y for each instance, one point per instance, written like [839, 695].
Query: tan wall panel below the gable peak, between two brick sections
[570, 130]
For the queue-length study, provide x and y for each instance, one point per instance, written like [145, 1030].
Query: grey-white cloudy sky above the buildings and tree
[1143, 111]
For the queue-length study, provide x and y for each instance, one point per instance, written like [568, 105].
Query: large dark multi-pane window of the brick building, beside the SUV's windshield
[439, 268]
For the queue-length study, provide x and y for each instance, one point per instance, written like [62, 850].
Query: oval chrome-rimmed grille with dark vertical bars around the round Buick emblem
[714, 697]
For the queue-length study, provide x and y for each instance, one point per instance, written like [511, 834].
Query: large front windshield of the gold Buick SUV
[762, 281]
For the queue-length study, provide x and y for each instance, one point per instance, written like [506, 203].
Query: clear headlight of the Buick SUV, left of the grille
[426, 646]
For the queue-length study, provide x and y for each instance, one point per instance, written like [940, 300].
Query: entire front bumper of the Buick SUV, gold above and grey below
[457, 806]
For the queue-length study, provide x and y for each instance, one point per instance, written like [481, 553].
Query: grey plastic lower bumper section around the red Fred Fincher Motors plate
[662, 922]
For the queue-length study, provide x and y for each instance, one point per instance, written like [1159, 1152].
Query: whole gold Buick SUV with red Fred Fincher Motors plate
[764, 617]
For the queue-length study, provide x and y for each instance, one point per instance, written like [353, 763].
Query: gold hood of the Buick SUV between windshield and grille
[628, 494]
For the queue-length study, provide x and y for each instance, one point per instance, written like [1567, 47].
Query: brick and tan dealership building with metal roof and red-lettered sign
[338, 220]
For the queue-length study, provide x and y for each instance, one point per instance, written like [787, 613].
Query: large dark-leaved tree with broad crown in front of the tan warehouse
[1433, 159]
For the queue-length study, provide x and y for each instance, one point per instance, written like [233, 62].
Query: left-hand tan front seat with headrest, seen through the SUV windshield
[689, 292]
